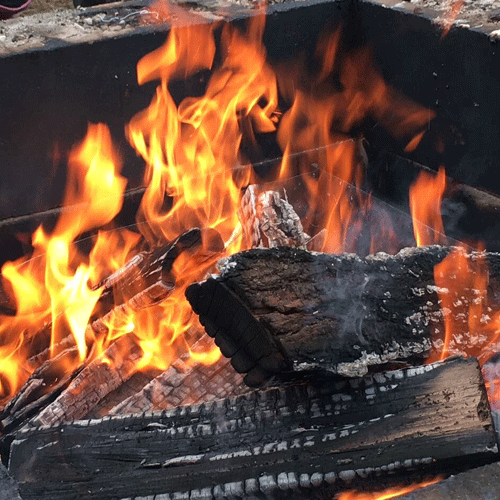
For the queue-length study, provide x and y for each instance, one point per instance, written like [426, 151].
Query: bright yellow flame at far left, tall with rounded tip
[51, 288]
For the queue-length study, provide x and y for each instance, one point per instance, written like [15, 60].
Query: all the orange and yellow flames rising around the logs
[195, 173]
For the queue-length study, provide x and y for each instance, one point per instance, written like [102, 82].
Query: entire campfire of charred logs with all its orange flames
[337, 370]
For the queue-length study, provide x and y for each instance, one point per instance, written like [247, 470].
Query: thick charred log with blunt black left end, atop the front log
[270, 309]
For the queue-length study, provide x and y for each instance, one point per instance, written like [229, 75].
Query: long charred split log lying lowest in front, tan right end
[296, 441]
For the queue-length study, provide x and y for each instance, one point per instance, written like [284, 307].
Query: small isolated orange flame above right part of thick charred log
[426, 194]
